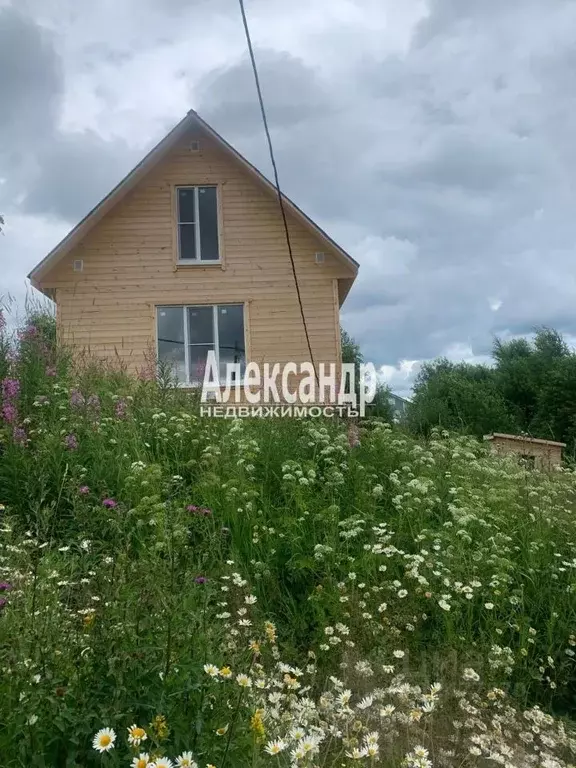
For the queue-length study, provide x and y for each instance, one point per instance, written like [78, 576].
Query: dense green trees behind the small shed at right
[529, 387]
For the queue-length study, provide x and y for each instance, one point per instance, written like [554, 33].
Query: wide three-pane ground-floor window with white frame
[187, 334]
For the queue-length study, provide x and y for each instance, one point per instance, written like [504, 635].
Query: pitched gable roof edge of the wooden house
[192, 119]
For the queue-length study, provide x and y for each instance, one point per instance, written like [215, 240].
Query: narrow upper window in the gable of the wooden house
[197, 224]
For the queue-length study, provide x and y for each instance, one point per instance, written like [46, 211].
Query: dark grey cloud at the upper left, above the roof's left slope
[48, 171]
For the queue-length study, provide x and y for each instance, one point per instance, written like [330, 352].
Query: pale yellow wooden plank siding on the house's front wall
[108, 309]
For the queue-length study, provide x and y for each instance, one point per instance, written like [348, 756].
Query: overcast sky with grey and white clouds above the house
[434, 139]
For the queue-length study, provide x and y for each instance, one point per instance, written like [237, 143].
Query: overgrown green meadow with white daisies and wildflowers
[179, 591]
